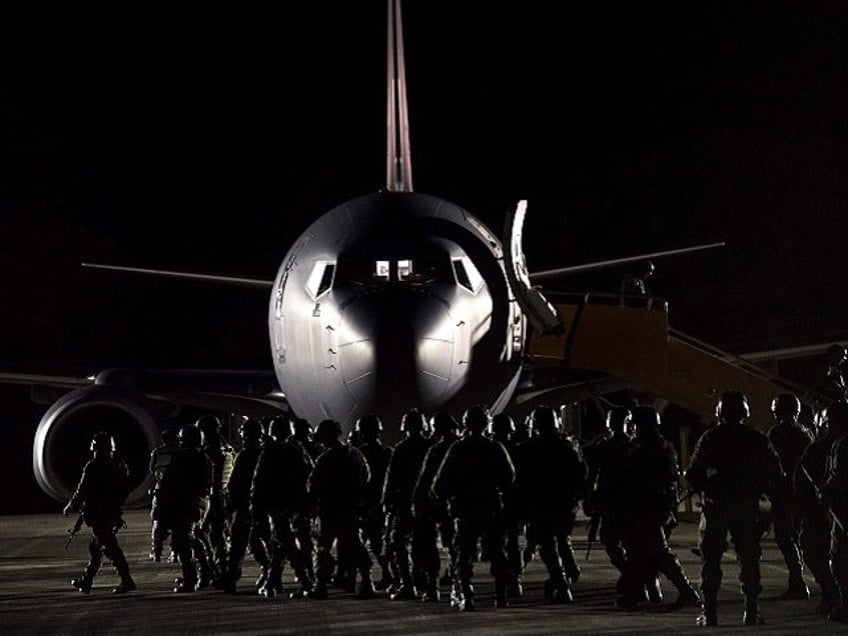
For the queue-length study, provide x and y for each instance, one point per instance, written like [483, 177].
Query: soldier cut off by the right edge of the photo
[834, 495]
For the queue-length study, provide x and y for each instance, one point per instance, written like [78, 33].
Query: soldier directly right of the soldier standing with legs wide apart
[789, 440]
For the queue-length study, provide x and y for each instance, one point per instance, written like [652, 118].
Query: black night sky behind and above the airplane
[206, 139]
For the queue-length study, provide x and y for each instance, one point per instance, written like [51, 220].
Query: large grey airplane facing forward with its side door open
[390, 300]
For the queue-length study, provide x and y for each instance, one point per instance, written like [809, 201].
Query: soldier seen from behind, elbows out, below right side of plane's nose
[472, 478]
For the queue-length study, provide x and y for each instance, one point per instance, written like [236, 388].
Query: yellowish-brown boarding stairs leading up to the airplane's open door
[629, 338]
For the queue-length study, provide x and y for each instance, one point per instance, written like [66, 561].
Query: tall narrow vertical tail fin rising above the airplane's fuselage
[398, 156]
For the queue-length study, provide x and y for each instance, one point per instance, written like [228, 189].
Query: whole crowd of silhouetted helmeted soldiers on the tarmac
[326, 505]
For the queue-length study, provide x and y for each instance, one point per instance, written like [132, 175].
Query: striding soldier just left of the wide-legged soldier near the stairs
[651, 478]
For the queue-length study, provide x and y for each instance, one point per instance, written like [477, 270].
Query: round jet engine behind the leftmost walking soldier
[62, 440]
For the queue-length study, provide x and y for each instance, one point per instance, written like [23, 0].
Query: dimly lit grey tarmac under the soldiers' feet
[36, 597]
